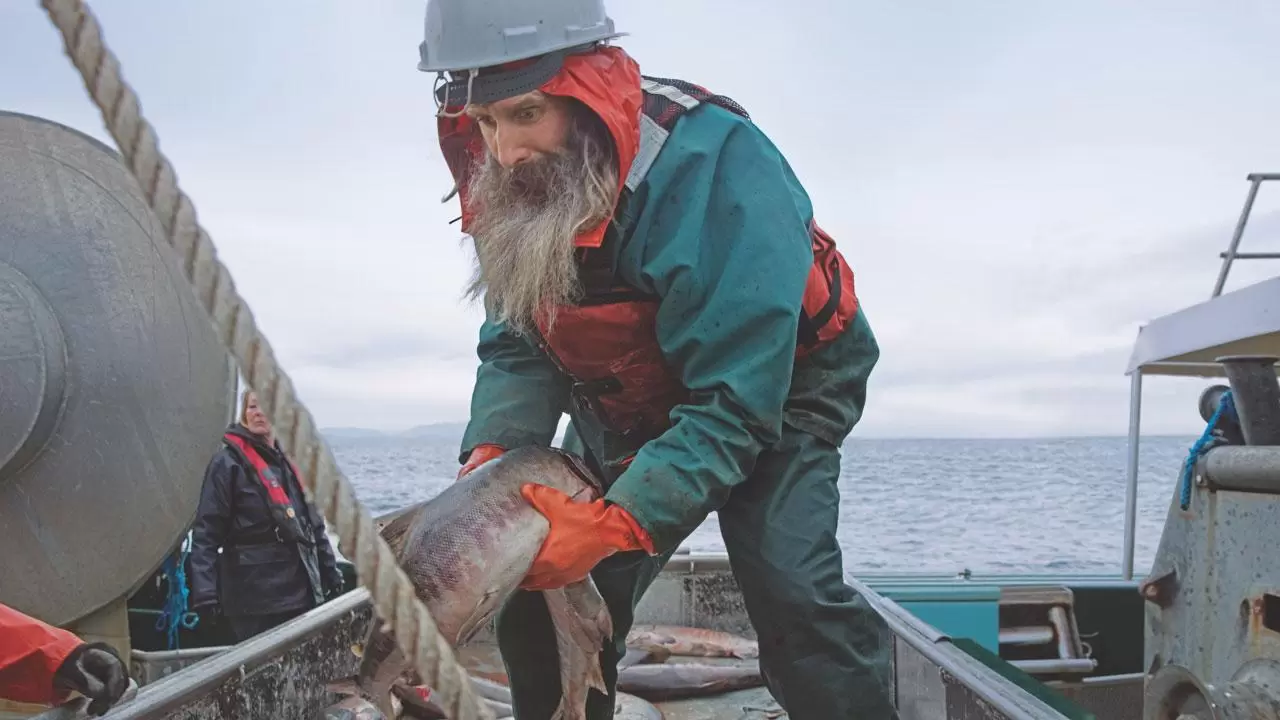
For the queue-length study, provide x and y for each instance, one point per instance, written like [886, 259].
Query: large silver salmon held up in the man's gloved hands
[467, 552]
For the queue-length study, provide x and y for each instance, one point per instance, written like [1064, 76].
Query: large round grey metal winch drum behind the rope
[113, 388]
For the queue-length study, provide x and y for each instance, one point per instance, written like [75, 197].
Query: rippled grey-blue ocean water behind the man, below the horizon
[920, 505]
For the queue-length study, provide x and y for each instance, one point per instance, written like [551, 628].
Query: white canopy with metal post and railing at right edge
[1187, 344]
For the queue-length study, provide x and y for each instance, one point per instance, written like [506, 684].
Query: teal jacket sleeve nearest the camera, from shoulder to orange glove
[726, 248]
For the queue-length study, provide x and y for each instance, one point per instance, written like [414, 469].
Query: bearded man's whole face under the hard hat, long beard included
[548, 175]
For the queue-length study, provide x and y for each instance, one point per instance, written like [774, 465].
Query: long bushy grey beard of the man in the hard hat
[527, 220]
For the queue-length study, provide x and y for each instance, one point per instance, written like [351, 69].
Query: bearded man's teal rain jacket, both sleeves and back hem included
[720, 233]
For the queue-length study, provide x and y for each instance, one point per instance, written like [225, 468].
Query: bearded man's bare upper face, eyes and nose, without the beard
[524, 129]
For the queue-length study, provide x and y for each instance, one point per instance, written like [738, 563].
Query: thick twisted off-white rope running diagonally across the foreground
[390, 587]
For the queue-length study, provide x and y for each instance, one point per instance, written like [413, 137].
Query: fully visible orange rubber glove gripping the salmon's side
[582, 535]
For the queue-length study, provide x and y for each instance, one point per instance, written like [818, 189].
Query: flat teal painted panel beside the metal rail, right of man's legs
[959, 610]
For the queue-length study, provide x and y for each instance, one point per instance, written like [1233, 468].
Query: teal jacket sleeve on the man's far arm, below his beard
[519, 395]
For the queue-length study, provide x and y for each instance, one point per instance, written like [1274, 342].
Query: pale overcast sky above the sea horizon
[1018, 186]
